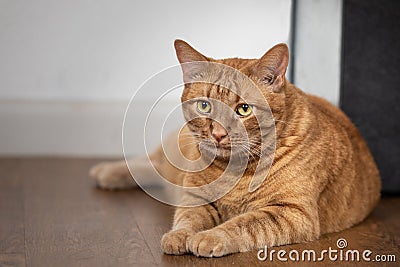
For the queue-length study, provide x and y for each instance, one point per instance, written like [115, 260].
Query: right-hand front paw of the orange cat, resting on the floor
[210, 243]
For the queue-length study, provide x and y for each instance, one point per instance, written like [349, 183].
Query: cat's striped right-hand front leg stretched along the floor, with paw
[271, 226]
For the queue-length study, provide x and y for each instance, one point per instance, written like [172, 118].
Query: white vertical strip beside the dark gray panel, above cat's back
[317, 47]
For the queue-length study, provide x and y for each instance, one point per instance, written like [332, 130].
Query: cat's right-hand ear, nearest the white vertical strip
[271, 67]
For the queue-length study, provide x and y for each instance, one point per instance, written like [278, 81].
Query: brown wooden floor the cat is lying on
[51, 214]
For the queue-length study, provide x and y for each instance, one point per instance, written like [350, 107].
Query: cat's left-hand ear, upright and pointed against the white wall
[188, 56]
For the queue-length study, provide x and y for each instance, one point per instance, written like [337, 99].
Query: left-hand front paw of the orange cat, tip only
[174, 242]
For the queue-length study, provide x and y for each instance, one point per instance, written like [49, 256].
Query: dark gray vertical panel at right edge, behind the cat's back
[370, 89]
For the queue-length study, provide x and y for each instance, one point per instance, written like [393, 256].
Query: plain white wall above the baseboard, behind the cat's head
[102, 50]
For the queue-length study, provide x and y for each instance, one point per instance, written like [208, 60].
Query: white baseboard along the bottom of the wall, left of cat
[80, 129]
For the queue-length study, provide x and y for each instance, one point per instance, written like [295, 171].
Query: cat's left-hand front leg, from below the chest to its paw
[187, 222]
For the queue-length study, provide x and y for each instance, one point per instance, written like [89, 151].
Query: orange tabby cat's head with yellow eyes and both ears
[231, 104]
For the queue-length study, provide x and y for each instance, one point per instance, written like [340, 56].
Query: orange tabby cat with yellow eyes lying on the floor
[323, 178]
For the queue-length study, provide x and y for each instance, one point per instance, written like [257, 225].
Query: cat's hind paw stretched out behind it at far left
[112, 175]
